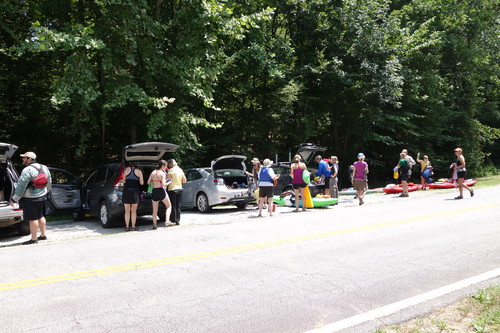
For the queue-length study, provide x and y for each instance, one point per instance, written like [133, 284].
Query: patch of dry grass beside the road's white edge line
[478, 313]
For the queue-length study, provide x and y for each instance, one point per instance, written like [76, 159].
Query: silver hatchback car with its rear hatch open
[224, 183]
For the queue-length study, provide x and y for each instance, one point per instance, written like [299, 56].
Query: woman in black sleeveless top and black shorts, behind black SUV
[133, 179]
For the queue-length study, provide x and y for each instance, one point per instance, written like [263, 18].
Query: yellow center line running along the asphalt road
[237, 249]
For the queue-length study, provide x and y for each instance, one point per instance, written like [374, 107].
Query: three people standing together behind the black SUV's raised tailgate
[166, 182]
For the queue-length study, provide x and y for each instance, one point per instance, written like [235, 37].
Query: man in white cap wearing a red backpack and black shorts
[34, 184]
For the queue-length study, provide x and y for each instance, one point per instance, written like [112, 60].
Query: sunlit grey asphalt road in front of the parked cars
[230, 271]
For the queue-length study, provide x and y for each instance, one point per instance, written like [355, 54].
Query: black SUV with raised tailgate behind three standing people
[101, 192]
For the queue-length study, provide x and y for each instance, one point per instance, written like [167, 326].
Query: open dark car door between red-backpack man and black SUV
[65, 194]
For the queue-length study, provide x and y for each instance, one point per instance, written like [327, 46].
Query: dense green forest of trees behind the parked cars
[80, 79]
